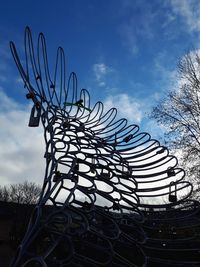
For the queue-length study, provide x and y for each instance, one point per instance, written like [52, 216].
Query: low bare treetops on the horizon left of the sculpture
[21, 193]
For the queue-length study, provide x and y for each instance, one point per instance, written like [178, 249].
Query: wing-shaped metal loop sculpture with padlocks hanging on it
[101, 174]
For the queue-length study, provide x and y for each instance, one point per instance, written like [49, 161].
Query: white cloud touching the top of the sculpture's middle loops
[128, 107]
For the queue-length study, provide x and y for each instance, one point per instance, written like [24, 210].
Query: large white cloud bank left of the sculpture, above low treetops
[21, 148]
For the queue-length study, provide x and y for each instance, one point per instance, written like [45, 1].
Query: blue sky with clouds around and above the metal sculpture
[125, 52]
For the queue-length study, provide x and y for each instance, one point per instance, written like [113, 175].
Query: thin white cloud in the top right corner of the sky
[189, 10]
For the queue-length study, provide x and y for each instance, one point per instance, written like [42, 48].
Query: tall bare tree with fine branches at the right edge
[179, 113]
